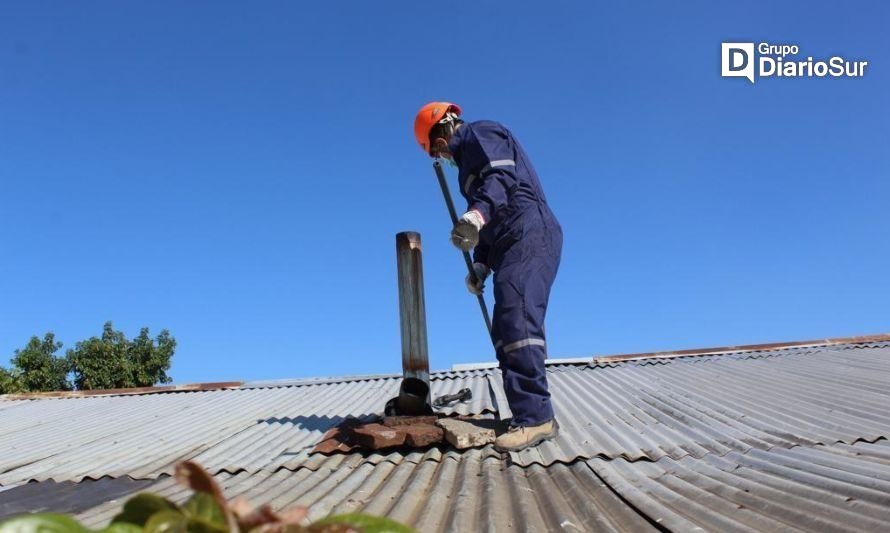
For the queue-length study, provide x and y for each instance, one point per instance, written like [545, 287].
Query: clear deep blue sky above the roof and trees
[236, 173]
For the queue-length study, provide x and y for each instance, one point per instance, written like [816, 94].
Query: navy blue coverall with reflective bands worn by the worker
[521, 242]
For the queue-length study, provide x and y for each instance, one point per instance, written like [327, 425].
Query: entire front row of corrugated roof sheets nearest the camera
[805, 488]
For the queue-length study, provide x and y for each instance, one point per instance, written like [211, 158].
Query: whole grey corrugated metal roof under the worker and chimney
[739, 441]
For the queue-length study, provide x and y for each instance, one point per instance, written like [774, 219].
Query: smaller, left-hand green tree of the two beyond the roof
[38, 368]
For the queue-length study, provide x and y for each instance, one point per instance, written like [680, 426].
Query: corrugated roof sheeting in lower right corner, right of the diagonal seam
[805, 488]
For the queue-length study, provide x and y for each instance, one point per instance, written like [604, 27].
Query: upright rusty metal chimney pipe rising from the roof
[414, 394]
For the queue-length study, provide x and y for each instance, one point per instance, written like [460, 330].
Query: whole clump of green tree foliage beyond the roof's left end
[110, 361]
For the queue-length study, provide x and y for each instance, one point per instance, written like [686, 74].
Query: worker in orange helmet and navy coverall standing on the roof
[514, 234]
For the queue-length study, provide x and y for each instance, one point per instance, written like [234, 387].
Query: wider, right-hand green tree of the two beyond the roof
[113, 362]
